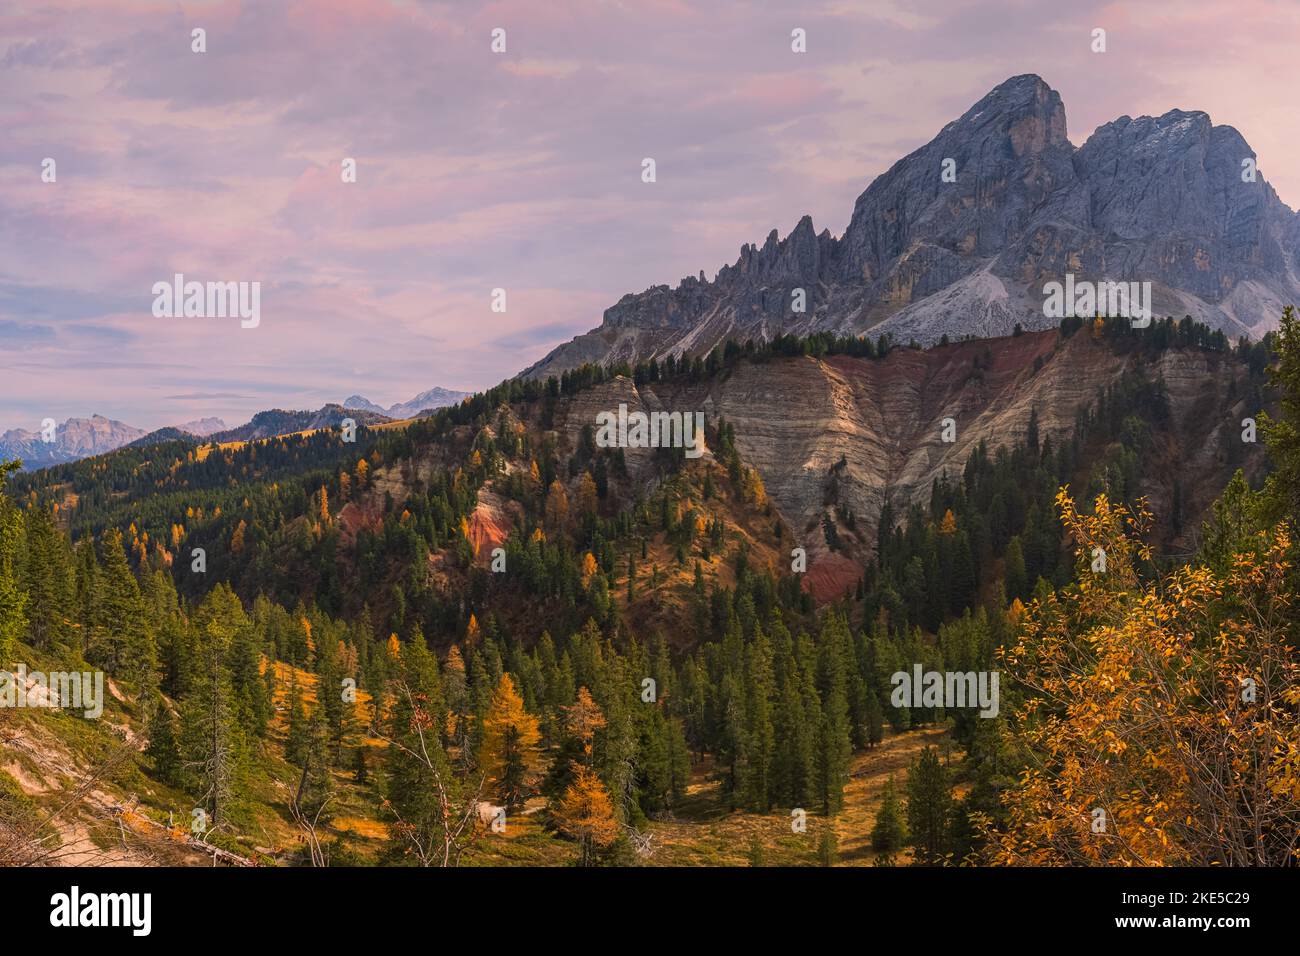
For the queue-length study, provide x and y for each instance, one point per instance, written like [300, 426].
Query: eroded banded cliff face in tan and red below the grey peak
[882, 422]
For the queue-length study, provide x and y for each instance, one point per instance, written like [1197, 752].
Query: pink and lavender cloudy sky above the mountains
[482, 171]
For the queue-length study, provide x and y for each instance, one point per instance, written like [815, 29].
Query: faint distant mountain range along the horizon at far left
[77, 439]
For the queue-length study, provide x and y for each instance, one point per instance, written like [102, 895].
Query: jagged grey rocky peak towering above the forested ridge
[1173, 201]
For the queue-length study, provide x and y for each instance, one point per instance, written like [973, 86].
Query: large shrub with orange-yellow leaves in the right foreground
[1159, 716]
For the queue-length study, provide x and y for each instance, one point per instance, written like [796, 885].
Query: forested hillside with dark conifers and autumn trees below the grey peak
[482, 638]
